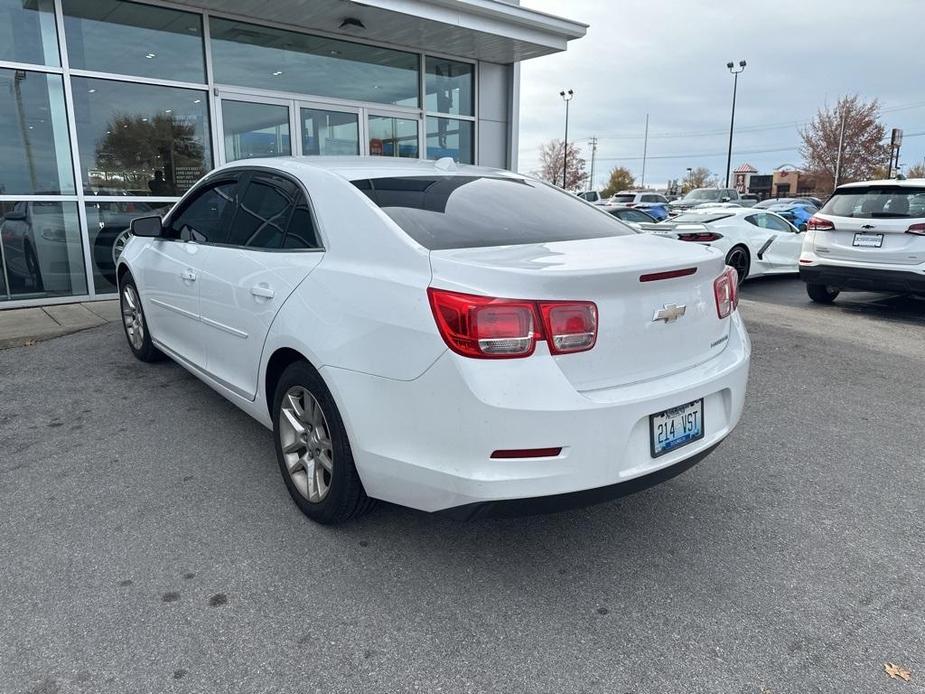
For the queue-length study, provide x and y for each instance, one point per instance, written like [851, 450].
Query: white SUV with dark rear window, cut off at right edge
[869, 236]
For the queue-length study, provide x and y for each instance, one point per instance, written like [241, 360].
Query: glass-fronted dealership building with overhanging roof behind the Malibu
[111, 110]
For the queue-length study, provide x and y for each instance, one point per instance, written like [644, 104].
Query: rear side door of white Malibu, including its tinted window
[271, 247]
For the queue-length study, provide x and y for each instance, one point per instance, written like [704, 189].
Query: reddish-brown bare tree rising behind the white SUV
[862, 147]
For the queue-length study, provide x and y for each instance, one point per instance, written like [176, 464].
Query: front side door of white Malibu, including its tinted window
[169, 267]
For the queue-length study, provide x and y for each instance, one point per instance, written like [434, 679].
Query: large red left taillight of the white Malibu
[484, 327]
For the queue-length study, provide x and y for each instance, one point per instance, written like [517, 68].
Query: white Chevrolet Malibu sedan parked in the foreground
[449, 338]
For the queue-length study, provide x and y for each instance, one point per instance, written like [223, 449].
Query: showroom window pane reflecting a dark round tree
[140, 139]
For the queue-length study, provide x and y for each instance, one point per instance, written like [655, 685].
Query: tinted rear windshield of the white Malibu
[441, 212]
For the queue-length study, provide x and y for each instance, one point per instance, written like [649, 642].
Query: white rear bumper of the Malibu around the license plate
[427, 443]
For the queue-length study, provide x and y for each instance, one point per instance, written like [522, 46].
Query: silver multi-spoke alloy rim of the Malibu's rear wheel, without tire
[305, 441]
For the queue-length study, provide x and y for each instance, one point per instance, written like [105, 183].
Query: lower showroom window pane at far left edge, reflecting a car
[40, 249]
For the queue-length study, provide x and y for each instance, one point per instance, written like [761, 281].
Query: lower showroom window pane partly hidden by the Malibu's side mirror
[108, 226]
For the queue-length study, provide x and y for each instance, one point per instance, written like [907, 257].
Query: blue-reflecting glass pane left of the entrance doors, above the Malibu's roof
[255, 130]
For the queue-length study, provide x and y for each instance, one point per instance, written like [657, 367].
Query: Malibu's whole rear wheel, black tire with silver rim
[312, 449]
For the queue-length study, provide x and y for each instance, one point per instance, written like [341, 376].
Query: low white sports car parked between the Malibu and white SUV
[755, 242]
